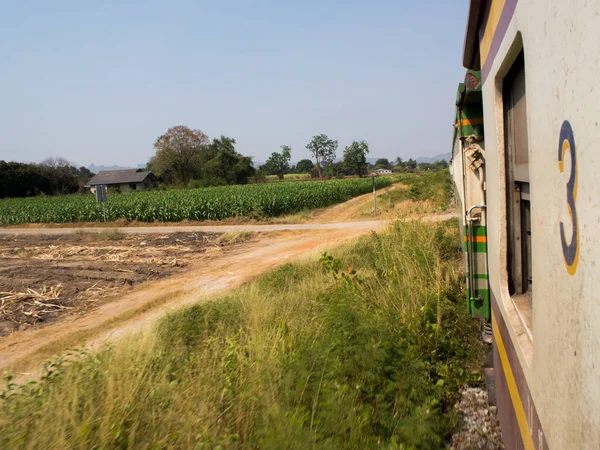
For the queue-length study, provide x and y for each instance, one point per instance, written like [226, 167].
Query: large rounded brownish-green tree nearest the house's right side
[180, 154]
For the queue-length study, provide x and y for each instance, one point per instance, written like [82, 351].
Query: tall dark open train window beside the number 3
[518, 184]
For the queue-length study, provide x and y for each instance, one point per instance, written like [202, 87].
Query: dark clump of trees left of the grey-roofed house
[53, 176]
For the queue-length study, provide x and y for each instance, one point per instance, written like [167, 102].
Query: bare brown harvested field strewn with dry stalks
[43, 278]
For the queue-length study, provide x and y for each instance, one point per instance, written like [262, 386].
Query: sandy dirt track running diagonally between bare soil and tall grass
[23, 352]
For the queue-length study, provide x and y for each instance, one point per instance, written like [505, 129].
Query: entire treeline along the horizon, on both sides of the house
[186, 157]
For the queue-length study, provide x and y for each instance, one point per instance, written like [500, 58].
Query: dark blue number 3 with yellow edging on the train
[566, 143]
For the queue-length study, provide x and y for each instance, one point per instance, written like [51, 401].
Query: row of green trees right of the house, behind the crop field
[187, 157]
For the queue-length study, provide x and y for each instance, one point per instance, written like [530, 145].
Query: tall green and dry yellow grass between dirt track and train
[364, 348]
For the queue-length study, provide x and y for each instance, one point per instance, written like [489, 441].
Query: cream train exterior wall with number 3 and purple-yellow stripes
[547, 340]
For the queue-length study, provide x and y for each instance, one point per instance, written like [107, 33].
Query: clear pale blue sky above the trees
[99, 81]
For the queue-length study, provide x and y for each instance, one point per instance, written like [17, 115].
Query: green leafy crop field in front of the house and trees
[257, 200]
